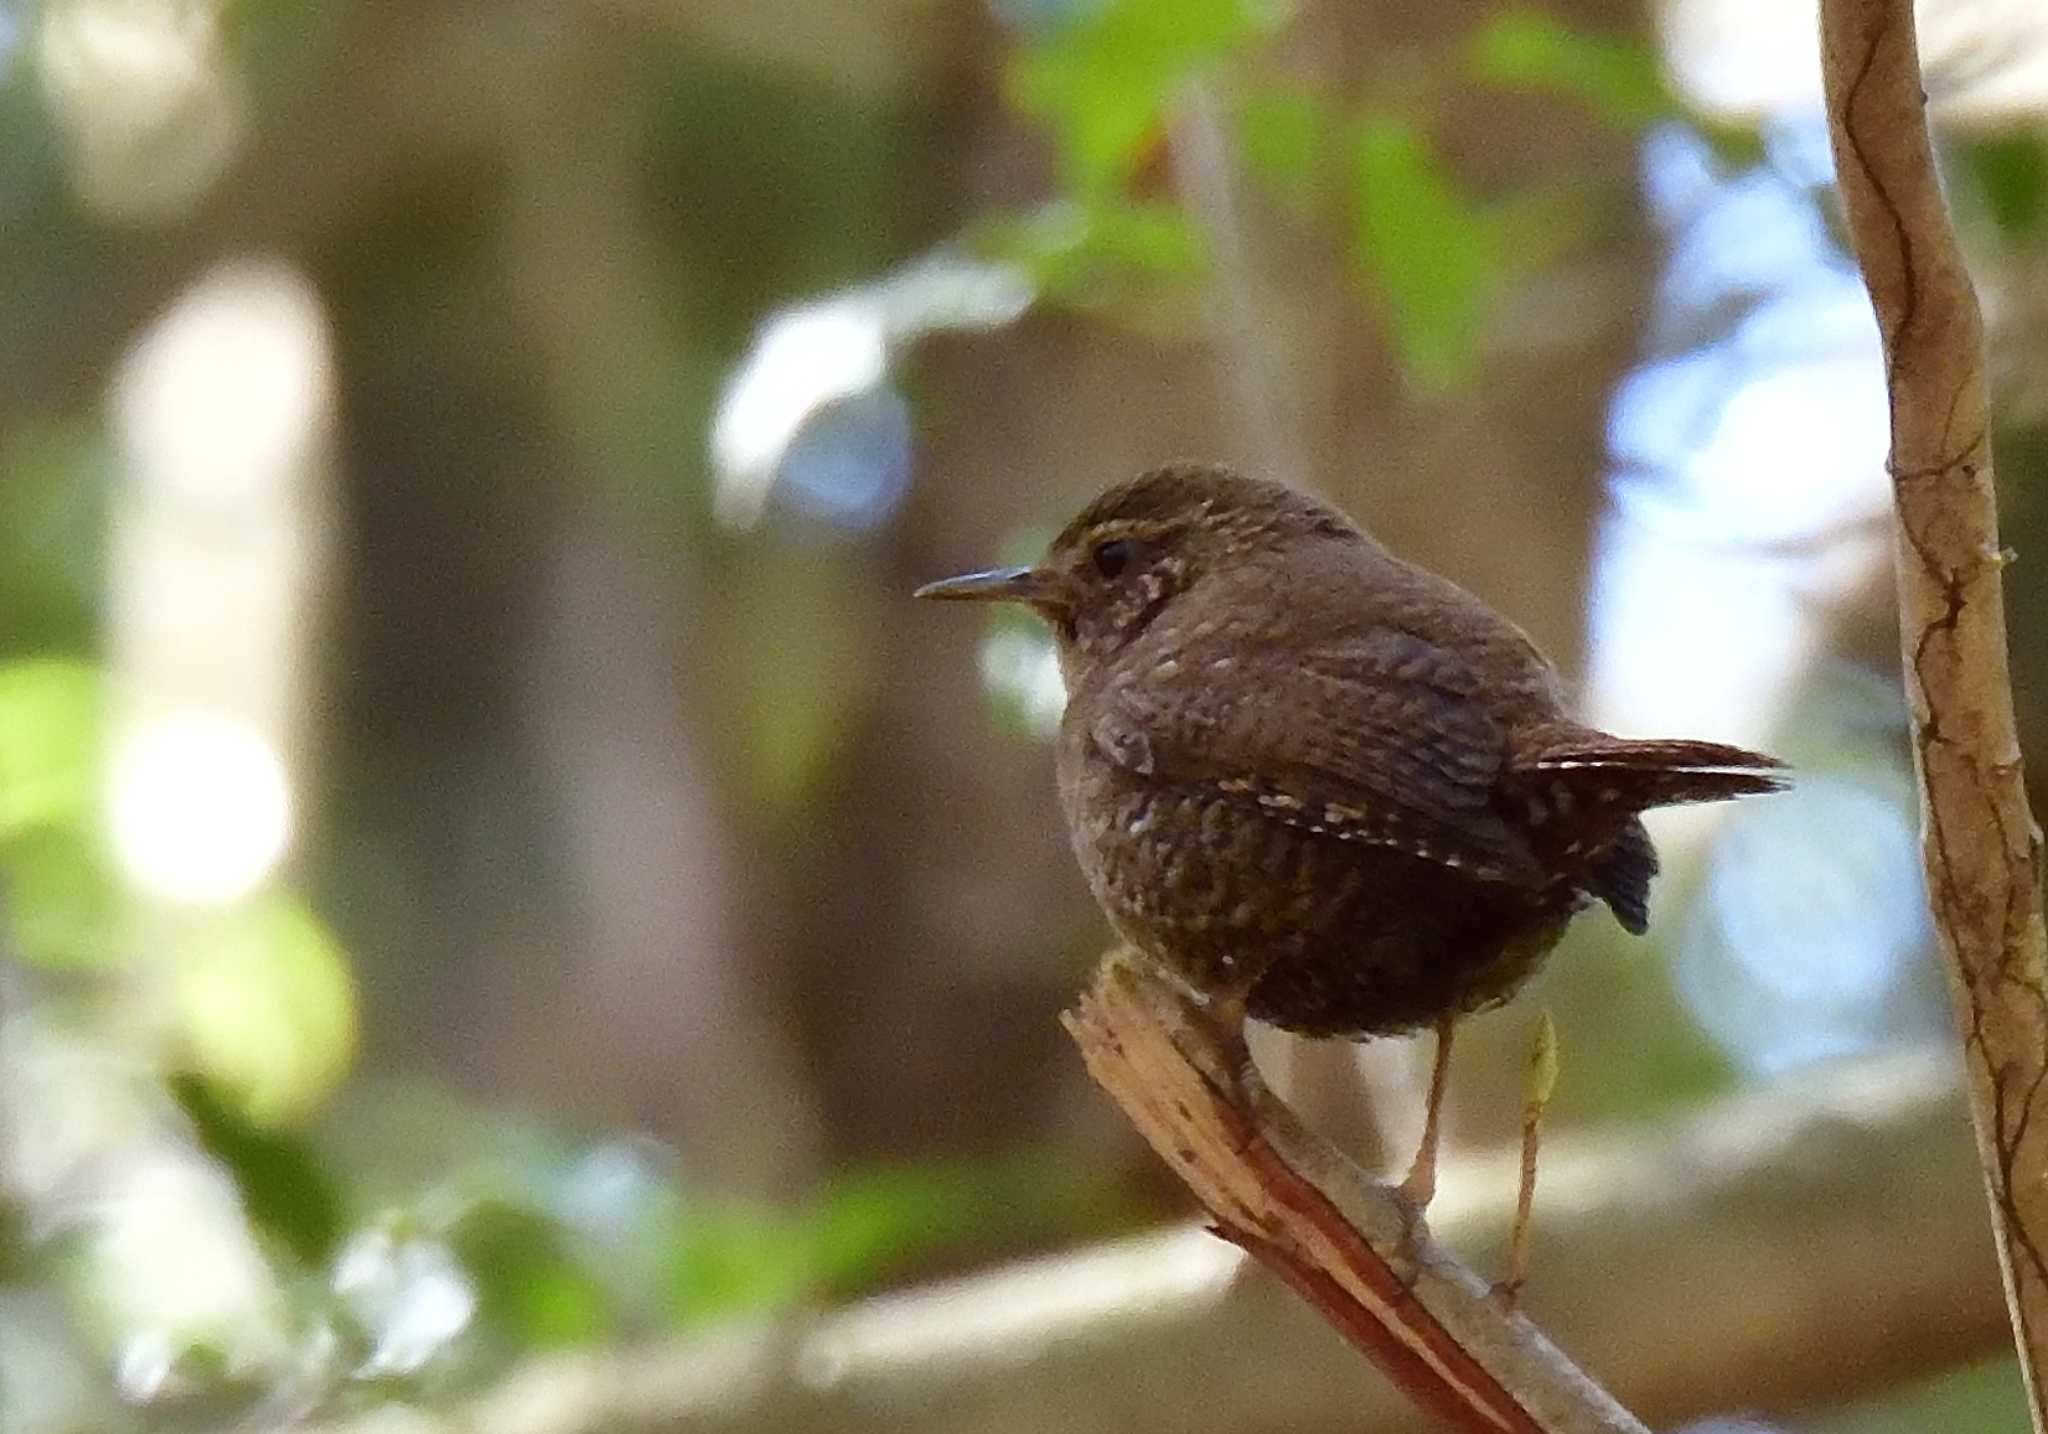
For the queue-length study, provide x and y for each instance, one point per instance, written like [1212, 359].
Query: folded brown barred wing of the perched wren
[1379, 739]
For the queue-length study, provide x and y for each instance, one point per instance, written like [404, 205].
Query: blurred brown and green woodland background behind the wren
[493, 859]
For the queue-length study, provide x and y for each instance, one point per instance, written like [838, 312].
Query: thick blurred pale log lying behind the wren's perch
[1764, 1230]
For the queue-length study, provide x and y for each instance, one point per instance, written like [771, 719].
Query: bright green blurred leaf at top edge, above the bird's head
[1105, 79]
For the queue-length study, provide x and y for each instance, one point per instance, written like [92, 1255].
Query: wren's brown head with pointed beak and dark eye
[1140, 548]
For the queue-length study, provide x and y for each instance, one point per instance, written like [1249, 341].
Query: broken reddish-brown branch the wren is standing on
[1342, 1240]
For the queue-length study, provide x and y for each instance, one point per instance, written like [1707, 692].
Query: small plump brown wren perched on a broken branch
[1320, 786]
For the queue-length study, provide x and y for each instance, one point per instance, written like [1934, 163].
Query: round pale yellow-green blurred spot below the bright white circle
[269, 1009]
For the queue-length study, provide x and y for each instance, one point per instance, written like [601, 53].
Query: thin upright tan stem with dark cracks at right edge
[1979, 841]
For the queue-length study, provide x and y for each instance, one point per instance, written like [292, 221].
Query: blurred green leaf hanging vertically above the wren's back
[1426, 251]
